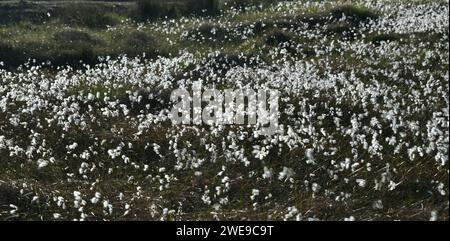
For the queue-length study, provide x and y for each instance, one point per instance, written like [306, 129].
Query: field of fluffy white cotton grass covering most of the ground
[85, 132]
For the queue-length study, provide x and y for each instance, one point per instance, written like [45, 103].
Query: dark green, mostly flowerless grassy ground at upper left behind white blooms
[83, 38]
